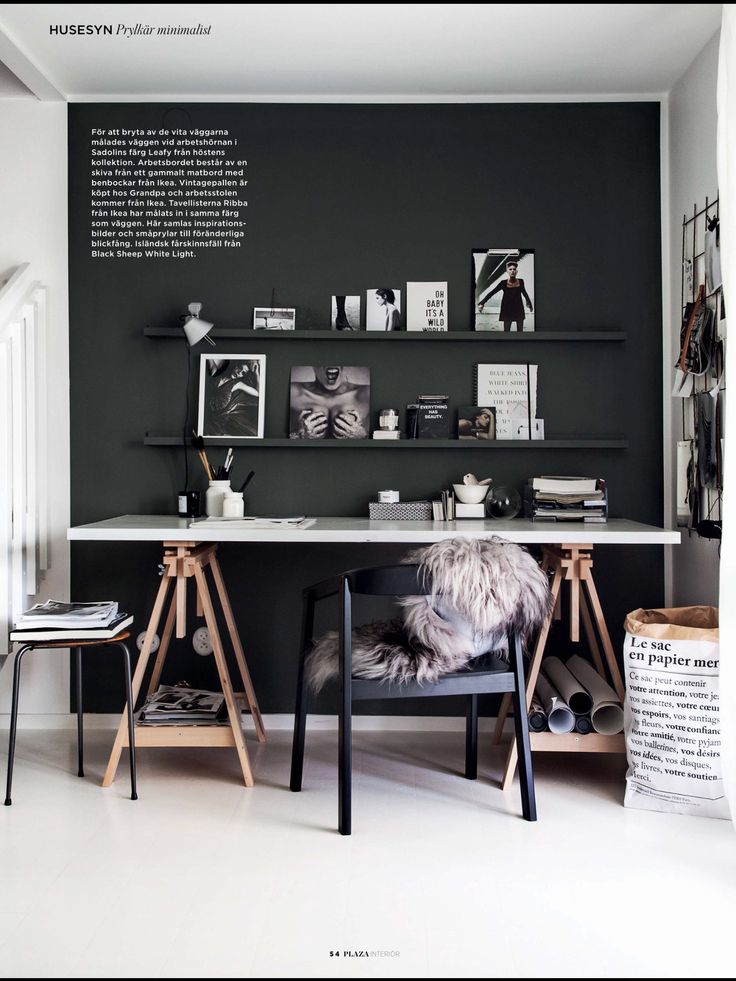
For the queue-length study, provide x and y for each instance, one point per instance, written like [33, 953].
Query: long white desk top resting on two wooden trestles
[160, 528]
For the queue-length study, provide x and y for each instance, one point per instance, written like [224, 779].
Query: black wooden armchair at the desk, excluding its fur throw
[403, 580]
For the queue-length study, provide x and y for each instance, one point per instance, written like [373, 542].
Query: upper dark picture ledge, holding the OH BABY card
[399, 335]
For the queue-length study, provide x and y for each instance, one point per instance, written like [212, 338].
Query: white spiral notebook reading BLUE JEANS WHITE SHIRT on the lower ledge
[512, 390]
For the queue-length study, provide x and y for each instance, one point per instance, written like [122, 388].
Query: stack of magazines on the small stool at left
[57, 620]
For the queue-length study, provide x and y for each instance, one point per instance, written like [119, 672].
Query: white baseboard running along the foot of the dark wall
[275, 722]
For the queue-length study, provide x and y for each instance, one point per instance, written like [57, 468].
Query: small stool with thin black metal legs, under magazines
[77, 643]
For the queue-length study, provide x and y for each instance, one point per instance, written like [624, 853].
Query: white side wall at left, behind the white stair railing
[33, 228]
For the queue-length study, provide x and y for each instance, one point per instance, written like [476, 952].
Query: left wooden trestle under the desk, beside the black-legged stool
[183, 561]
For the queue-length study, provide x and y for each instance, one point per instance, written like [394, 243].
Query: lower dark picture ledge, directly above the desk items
[577, 443]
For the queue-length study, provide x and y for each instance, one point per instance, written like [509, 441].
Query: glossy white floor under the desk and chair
[203, 878]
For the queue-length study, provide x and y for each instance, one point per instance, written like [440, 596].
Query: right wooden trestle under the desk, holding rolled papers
[572, 564]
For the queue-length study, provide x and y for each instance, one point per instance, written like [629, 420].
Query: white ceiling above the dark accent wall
[323, 52]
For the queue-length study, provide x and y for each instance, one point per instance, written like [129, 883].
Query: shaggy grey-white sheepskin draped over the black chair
[481, 588]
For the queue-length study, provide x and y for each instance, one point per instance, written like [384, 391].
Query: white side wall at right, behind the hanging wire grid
[692, 177]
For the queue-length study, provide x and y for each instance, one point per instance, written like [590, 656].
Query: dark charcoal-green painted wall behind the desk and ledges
[344, 198]
